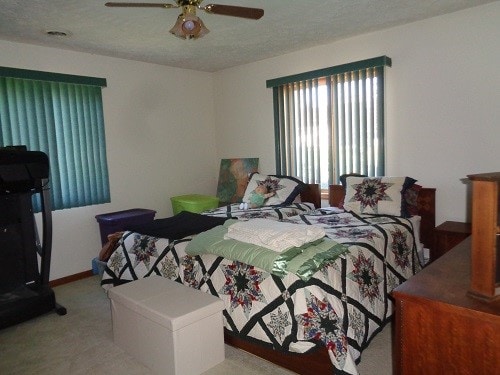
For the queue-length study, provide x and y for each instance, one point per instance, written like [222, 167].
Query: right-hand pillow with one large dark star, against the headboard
[377, 195]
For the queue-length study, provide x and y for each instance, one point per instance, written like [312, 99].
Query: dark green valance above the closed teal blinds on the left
[51, 77]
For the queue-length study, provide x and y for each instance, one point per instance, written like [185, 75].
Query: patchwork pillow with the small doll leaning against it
[286, 188]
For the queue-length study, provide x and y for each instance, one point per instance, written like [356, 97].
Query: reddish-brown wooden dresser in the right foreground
[439, 329]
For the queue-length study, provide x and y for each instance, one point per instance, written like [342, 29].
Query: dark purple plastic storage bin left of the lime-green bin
[118, 221]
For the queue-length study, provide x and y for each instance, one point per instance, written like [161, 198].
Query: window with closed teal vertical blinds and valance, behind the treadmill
[61, 115]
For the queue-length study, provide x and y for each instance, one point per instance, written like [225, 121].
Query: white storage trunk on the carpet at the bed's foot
[171, 328]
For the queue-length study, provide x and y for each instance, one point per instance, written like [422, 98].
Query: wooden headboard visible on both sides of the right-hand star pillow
[426, 204]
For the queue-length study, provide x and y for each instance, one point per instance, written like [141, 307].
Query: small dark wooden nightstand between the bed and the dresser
[447, 235]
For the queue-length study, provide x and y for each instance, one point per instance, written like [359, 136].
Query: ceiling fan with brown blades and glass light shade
[189, 25]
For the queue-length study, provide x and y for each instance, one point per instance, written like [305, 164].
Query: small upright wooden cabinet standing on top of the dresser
[485, 255]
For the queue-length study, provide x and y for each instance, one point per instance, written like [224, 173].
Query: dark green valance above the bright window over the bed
[325, 72]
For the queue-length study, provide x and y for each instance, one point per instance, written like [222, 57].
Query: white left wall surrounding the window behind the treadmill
[160, 141]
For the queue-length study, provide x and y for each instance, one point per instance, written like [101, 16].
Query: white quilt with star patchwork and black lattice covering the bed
[341, 307]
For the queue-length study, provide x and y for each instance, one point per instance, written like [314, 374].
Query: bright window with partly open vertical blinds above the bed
[330, 122]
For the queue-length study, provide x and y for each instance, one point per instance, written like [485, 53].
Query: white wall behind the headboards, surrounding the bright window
[442, 100]
